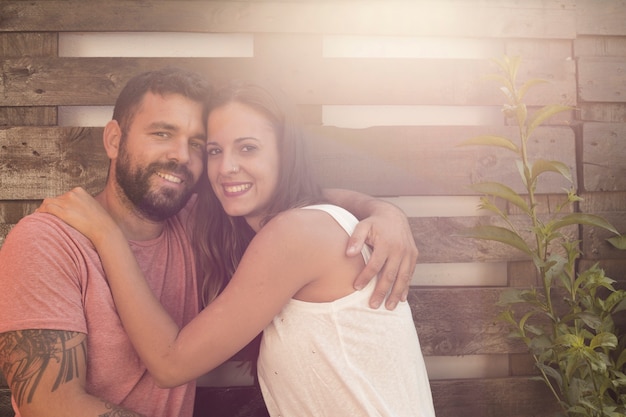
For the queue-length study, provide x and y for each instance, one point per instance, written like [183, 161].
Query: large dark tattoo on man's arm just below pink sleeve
[27, 354]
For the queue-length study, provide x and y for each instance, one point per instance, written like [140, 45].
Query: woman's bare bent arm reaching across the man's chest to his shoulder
[276, 265]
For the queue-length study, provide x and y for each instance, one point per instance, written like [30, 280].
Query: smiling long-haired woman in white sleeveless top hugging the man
[320, 352]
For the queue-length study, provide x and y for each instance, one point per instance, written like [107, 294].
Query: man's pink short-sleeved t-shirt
[51, 278]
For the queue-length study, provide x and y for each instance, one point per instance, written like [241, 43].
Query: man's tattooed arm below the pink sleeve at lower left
[46, 370]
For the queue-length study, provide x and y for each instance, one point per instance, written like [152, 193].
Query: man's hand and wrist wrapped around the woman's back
[386, 228]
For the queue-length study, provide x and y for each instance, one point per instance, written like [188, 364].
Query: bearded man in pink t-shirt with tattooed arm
[63, 350]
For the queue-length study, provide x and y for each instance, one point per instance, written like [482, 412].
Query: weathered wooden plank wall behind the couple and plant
[578, 45]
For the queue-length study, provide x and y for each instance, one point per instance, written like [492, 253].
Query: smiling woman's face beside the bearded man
[242, 161]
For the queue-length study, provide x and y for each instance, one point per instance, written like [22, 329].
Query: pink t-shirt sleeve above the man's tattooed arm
[42, 276]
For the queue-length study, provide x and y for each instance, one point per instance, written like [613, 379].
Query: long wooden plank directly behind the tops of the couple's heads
[315, 80]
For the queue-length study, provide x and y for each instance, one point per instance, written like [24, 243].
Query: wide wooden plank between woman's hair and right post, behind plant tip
[426, 161]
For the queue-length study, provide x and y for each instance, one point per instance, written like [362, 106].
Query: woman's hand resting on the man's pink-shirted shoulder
[81, 211]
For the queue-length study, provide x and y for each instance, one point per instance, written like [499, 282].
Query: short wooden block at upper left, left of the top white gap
[21, 44]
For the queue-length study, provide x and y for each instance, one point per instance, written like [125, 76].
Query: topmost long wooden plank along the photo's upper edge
[443, 18]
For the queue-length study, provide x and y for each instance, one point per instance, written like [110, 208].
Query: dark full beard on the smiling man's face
[156, 206]
